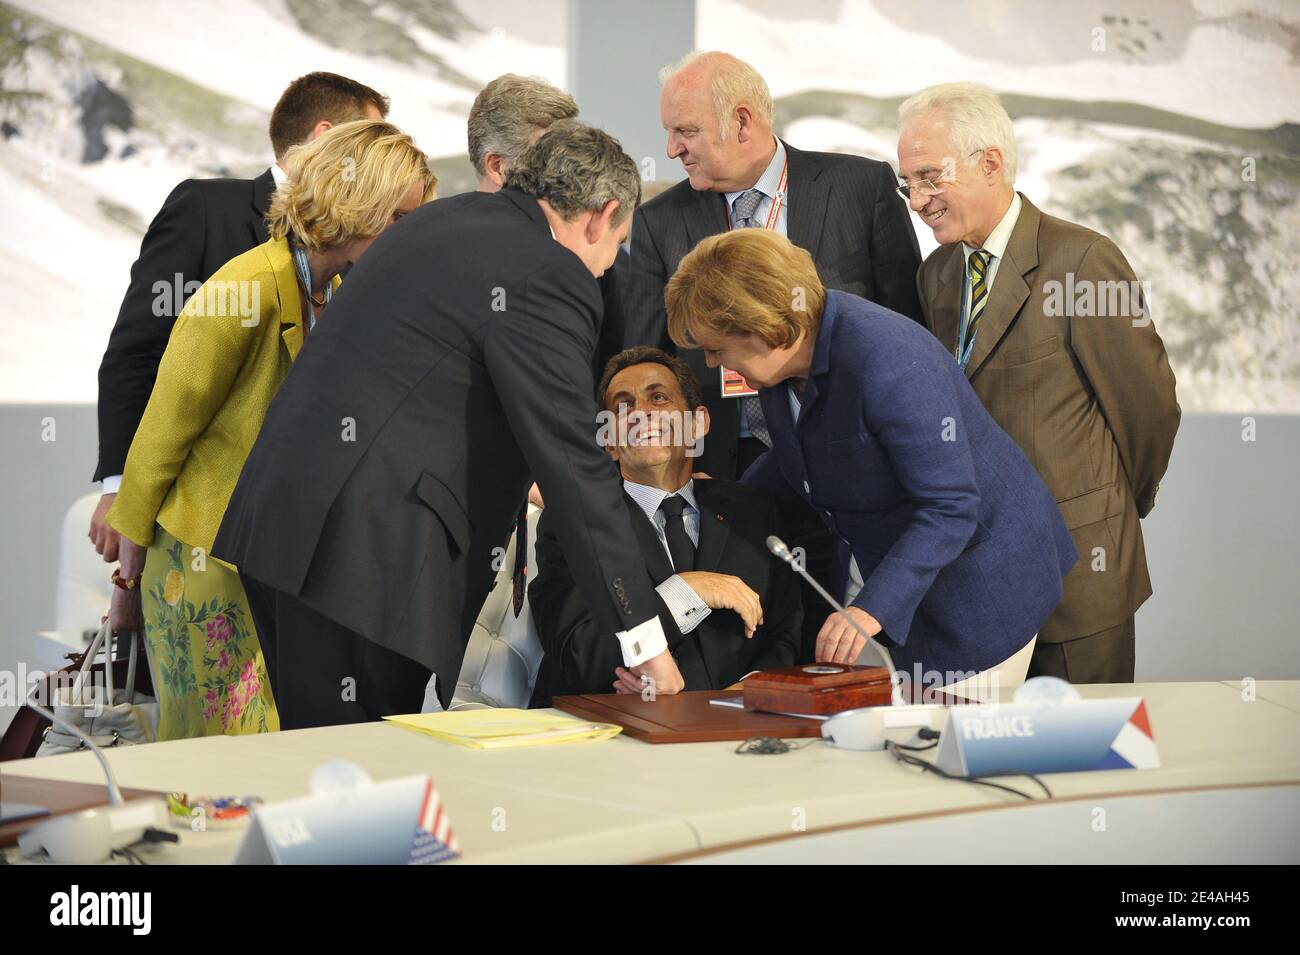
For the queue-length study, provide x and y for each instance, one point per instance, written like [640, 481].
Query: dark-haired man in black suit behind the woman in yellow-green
[202, 225]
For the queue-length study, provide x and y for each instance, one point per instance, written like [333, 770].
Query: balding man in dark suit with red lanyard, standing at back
[717, 112]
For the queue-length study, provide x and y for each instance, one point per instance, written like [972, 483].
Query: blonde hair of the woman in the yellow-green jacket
[348, 184]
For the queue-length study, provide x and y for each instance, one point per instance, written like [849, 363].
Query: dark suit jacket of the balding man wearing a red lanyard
[843, 210]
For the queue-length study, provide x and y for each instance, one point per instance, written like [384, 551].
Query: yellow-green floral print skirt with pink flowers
[209, 671]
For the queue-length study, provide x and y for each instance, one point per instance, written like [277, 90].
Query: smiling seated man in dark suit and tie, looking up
[729, 607]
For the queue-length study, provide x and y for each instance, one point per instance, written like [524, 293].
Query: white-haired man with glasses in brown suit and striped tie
[1052, 329]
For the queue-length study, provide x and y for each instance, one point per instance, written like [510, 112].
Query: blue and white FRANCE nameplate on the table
[1068, 737]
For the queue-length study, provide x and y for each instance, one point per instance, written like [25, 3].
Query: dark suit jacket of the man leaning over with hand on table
[452, 370]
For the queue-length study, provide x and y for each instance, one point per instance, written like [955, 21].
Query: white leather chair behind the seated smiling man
[505, 652]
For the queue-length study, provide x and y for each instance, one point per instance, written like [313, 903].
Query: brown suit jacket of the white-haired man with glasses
[1089, 400]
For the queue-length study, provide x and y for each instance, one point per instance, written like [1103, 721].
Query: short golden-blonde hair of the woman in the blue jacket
[748, 281]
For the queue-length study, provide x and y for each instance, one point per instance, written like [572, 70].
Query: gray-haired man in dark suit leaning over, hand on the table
[454, 368]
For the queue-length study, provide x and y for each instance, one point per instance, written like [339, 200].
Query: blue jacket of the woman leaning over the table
[960, 542]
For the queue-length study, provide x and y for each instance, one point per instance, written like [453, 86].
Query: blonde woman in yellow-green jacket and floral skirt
[229, 351]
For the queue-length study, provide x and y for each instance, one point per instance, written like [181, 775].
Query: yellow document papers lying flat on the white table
[497, 730]
